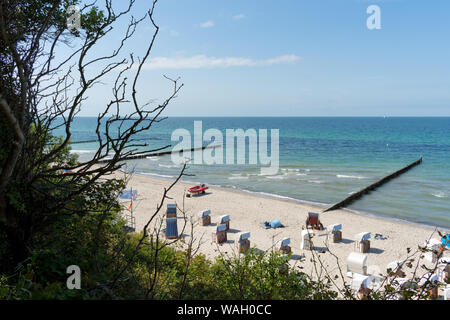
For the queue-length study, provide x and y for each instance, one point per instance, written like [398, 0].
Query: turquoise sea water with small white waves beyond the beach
[323, 160]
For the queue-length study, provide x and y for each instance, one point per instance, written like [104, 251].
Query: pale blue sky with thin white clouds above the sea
[291, 58]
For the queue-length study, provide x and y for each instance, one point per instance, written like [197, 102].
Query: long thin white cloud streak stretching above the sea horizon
[202, 61]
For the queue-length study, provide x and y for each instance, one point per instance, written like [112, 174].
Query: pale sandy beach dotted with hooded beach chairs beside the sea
[248, 210]
